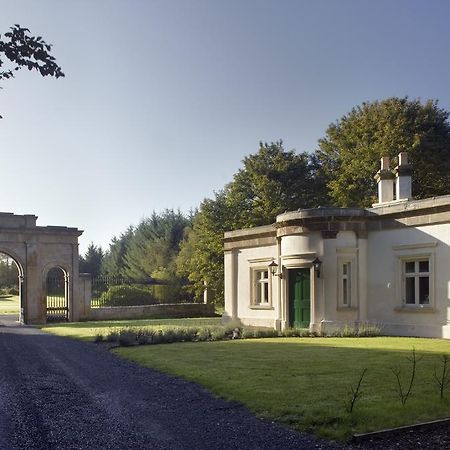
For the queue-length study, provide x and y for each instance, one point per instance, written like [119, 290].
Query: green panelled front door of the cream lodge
[299, 298]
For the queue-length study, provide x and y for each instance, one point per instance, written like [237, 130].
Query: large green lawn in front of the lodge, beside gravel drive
[303, 382]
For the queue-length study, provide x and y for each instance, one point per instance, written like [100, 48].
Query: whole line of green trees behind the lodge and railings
[188, 248]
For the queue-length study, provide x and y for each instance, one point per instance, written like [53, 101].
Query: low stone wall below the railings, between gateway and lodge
[175, 310]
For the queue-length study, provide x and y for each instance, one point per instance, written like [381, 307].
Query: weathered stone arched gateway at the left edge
[47, 260]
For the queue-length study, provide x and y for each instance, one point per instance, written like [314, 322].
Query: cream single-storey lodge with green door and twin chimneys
[326, 267]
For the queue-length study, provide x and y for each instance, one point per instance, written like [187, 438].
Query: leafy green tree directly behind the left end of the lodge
[271, 181]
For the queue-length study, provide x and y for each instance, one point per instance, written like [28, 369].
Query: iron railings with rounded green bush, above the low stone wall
[110, 291]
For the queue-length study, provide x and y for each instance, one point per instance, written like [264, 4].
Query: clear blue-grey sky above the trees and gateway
[163, 99]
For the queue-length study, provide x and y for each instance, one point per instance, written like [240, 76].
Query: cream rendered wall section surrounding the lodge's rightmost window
[385, 306]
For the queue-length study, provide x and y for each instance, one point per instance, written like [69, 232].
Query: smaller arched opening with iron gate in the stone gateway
[57, 301]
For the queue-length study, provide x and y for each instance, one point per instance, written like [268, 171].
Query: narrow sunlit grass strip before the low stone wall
[88, 330]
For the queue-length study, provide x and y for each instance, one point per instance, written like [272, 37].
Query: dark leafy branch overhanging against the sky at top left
[23, 50]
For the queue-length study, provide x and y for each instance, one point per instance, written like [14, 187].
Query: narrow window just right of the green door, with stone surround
[347, 270]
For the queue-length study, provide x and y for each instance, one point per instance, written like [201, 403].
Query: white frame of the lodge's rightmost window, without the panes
[403, 275]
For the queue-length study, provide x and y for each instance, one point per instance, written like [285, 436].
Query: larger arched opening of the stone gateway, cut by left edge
[11, 278]
